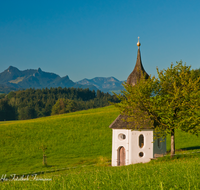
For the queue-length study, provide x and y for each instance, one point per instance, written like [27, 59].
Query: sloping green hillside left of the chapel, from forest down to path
[71, 139]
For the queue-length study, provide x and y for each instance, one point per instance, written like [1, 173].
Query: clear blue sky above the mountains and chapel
[97, 38]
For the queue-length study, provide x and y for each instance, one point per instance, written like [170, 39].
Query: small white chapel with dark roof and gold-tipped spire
[134, 146]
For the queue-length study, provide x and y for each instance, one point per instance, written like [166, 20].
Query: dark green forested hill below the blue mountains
[33, 103]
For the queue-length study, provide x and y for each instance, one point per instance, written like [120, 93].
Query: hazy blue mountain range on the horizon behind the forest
[14, 79]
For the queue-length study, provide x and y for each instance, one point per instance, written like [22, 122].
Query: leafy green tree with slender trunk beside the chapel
[169, 102]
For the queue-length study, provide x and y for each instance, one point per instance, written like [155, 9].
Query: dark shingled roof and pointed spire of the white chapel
[132, 79]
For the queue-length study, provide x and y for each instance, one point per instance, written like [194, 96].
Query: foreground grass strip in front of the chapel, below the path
[177, 173]
